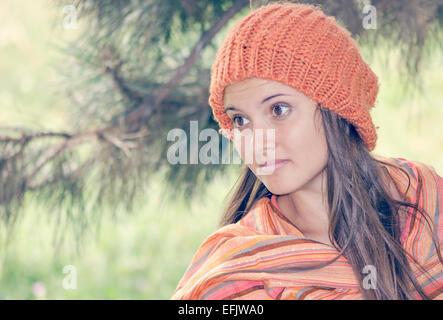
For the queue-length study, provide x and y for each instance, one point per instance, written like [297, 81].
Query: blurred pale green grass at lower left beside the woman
[137, 256]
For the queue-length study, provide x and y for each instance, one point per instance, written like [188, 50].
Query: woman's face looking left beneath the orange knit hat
[290, 116]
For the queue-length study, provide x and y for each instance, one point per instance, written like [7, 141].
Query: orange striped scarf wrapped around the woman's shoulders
[255, 257]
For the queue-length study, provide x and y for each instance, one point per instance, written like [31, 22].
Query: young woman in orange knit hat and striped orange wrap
[329, 220]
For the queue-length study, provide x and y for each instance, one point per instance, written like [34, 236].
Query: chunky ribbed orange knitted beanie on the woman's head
[299, 46]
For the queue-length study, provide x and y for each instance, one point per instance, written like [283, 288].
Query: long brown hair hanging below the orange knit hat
[364, 218]
